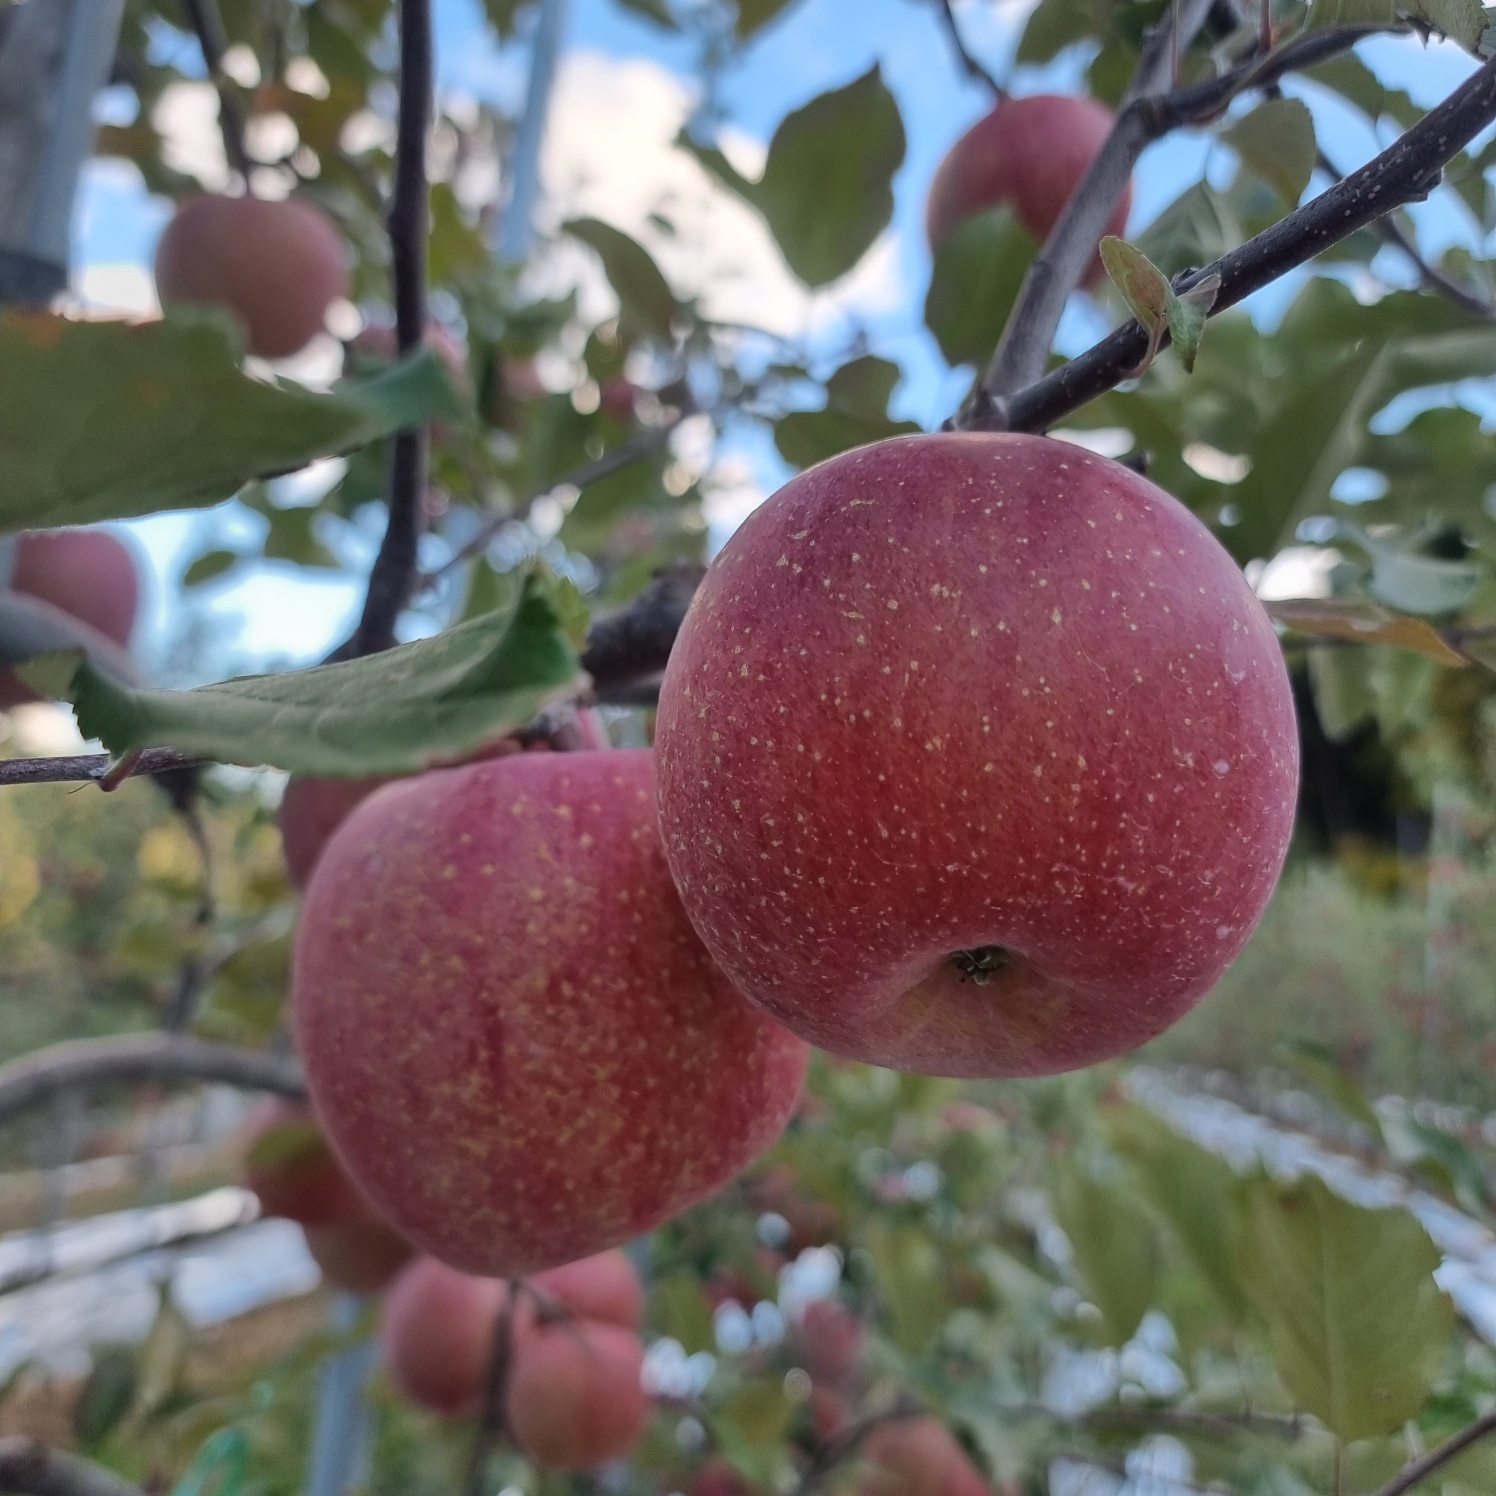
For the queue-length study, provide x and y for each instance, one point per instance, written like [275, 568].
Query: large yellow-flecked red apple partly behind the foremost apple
[514, 1039]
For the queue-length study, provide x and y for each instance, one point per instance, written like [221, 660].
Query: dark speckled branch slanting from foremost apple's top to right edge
[1404, 173]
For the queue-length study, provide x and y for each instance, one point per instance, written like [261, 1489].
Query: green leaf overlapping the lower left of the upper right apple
[979, 270]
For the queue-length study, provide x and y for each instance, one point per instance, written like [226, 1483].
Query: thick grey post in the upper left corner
[55, 58]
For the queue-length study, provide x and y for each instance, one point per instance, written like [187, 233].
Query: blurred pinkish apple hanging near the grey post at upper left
[276, 266]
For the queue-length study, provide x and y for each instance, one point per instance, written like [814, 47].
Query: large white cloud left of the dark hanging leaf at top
[610, 155]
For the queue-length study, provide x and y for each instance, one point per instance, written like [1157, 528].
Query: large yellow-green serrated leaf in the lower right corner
[1359, 1326]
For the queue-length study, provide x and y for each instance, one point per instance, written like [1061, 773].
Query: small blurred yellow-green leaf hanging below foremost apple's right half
[1115, 1245]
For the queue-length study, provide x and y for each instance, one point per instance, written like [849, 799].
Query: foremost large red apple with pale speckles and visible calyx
[978, 758]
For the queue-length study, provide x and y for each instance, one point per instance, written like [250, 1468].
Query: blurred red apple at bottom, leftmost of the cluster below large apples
[439, 1335]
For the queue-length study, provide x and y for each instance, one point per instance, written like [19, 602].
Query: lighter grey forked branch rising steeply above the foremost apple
[1145, 117]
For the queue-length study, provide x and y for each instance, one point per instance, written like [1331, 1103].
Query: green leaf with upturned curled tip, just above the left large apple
[393, 713]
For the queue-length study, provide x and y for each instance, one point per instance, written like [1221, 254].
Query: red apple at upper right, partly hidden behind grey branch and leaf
[1030, 155]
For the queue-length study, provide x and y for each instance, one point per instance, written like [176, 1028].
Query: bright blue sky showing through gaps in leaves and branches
[819, 44]
